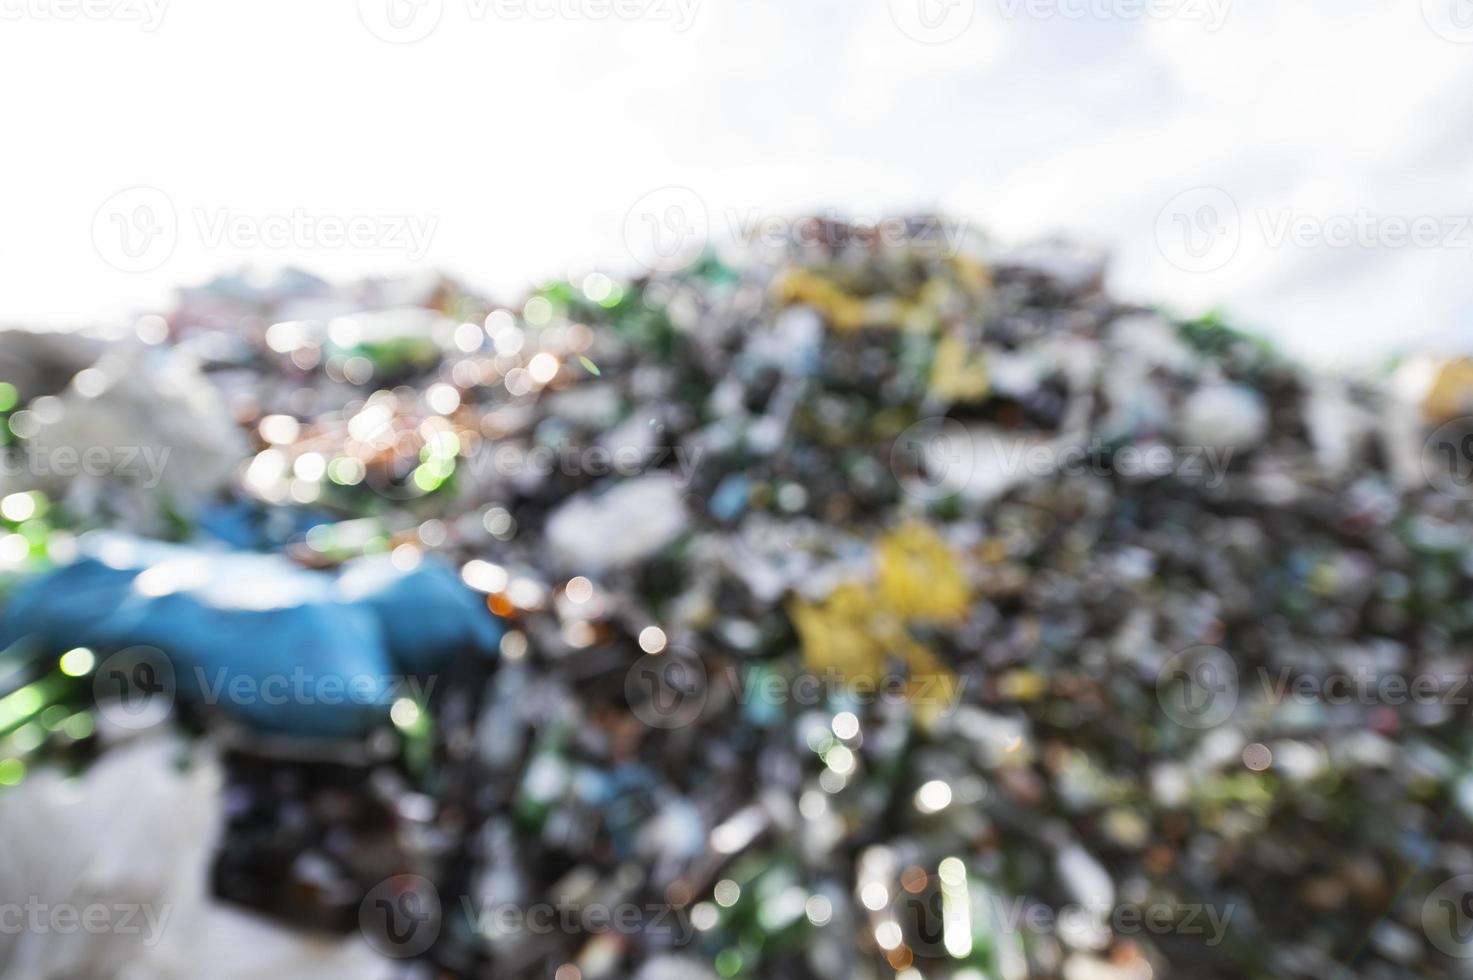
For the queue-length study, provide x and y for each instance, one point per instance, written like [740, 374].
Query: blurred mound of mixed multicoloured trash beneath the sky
[873, 609]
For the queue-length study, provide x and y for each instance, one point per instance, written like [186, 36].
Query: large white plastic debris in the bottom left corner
[111, 873]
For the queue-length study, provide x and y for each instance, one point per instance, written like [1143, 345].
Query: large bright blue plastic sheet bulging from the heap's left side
[272, 643]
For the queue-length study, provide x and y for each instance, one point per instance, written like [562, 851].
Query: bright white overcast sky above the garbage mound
[1306, 166]
